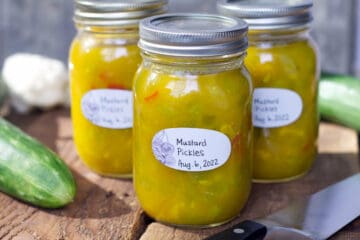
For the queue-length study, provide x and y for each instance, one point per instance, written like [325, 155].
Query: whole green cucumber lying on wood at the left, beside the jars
[31, 172]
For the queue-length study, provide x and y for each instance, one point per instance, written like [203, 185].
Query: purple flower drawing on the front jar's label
[163, 149]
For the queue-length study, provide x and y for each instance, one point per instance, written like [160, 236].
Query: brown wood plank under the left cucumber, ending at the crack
[104, 208]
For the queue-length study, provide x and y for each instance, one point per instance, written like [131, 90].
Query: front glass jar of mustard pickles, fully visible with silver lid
[192, 119]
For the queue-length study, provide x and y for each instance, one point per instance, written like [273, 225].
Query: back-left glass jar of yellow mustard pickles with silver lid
[103, 60]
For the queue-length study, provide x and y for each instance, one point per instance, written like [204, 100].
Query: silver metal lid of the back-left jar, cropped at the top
[126, 13]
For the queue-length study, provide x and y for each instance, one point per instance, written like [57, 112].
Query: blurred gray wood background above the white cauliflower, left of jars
[42, 27]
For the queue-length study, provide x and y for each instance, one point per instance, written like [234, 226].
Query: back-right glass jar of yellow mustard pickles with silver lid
[282, 60]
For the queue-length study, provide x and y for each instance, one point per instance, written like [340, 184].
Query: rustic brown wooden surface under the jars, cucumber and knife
[106, 208]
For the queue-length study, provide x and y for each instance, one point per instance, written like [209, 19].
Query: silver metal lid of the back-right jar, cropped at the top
[269, 14]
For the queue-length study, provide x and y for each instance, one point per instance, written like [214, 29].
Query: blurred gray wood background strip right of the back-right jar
[334, 31]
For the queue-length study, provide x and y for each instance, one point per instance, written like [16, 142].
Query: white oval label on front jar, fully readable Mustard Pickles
[191, 149]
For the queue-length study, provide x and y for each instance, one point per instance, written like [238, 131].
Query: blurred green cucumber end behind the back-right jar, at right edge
[339, 99]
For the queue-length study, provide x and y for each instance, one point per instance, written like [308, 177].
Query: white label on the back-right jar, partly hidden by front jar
[275, 107]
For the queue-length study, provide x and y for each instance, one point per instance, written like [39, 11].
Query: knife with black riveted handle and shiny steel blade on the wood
[315, 217]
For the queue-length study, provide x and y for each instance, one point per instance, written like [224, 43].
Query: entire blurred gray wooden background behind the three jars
[45, 27]
